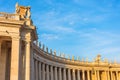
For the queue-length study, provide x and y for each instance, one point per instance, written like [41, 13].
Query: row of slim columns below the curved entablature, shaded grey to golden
[49, 72]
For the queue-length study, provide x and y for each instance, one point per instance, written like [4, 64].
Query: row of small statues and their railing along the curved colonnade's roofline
[54, 54]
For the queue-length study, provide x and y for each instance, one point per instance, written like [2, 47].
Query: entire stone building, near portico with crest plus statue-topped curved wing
[22, 57]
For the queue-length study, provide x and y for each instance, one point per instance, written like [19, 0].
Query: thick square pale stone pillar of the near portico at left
[15, 56]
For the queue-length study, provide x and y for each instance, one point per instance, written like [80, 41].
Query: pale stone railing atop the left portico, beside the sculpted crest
[9, 16]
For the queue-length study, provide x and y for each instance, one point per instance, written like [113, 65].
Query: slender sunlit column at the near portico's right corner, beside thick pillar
[28, 60]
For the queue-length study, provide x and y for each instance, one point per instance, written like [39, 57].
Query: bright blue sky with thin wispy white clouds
[82, 28]
